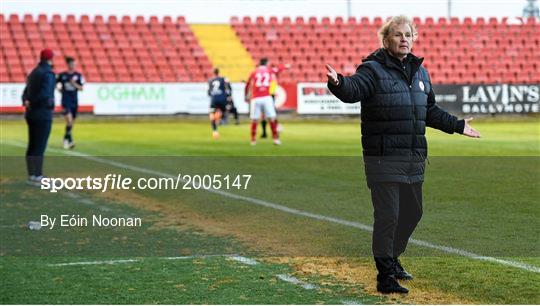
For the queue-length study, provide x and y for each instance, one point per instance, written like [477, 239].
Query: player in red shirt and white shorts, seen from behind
[258, 94]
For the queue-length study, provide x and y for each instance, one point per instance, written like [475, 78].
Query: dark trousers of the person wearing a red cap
[38, 135]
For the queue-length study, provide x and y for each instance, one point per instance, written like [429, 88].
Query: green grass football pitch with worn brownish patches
[480, 196]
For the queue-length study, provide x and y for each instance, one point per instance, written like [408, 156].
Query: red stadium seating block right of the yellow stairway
[455, 51]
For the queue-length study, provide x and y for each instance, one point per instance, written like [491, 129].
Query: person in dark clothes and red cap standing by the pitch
[38, 100]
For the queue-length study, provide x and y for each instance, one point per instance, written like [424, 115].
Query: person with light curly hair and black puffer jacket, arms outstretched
[398, 103]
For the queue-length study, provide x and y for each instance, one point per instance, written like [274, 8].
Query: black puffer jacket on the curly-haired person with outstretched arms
[397, 105]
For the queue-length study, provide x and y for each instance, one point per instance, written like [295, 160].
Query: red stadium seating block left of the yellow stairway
[108, 50]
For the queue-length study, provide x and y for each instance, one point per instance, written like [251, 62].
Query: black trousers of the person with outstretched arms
[397, 211]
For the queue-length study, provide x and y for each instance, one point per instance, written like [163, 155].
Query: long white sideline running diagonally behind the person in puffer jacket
[364, 227]
